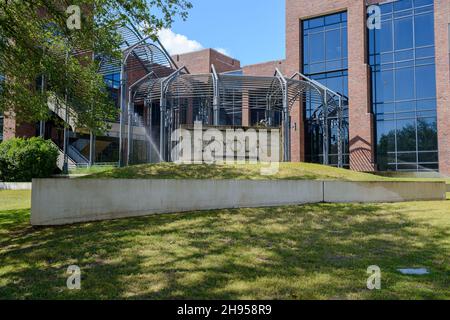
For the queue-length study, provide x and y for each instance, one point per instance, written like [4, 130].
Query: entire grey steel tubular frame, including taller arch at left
[222, 95]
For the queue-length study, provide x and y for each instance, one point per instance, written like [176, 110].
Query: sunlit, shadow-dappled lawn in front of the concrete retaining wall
[317, 251]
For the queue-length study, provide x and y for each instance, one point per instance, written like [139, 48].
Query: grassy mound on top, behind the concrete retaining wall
[287, 171]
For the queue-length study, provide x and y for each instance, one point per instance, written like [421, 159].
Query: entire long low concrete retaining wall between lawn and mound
[65, 201]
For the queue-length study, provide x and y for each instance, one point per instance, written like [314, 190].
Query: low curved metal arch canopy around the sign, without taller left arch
[222, 99]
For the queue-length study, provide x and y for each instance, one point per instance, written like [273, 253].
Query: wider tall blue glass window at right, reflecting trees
[401, 56]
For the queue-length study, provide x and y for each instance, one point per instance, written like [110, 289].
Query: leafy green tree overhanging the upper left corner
[37, 35]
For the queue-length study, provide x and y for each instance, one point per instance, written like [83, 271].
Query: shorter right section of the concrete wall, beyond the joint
[381, 191]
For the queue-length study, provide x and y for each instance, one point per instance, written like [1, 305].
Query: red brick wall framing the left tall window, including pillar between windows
[361, 121]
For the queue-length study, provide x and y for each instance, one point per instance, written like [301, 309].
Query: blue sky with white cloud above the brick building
[251, 31]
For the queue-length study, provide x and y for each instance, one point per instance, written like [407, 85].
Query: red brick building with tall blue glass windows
[396, 79]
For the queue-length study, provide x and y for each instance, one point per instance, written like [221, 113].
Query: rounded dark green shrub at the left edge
[24, 159]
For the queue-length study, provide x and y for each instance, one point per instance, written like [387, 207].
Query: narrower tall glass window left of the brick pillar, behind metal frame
[325, 60]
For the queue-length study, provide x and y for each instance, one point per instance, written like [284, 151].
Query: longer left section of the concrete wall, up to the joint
[60, 201]
